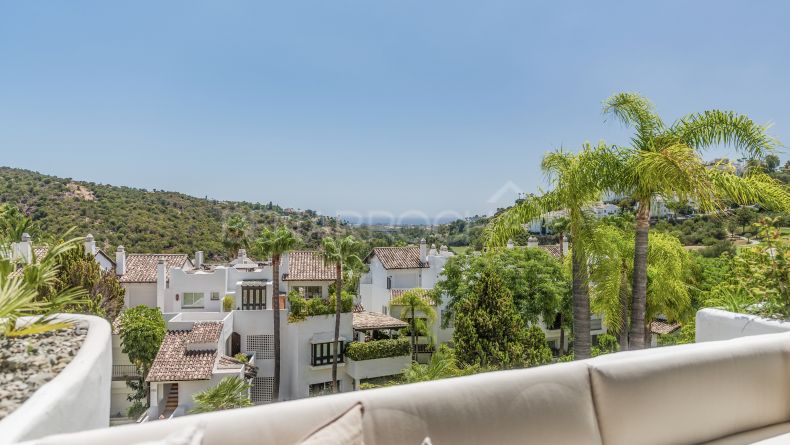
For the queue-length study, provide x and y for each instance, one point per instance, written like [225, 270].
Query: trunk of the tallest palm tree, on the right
[637, 334]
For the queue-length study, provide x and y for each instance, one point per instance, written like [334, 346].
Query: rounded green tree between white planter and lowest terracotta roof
[142, 330]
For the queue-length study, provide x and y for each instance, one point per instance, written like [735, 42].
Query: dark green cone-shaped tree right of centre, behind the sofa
[488, 329]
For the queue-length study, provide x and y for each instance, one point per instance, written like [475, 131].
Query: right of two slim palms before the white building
[339, 253]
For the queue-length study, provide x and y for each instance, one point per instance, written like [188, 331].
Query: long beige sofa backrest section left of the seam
[551, 404]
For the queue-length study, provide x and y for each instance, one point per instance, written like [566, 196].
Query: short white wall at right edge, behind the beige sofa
[716, 324]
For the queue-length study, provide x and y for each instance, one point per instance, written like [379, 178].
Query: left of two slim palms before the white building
[274, 244]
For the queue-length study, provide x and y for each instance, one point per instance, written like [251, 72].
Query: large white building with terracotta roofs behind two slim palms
[203, 338]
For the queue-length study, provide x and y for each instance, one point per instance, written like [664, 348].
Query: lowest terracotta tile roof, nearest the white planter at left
[173, 363]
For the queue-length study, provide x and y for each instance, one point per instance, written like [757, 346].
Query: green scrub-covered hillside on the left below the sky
[146, 221]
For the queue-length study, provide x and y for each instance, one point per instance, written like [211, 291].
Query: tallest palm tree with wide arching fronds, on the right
[665, 161]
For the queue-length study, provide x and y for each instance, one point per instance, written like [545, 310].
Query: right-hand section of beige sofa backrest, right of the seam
[694, 393]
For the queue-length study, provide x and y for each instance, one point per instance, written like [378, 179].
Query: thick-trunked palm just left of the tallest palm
[578, 180]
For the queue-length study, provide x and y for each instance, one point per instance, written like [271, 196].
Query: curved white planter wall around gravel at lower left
[77, 399]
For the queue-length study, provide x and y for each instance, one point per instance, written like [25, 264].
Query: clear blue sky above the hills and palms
[363, 106]
